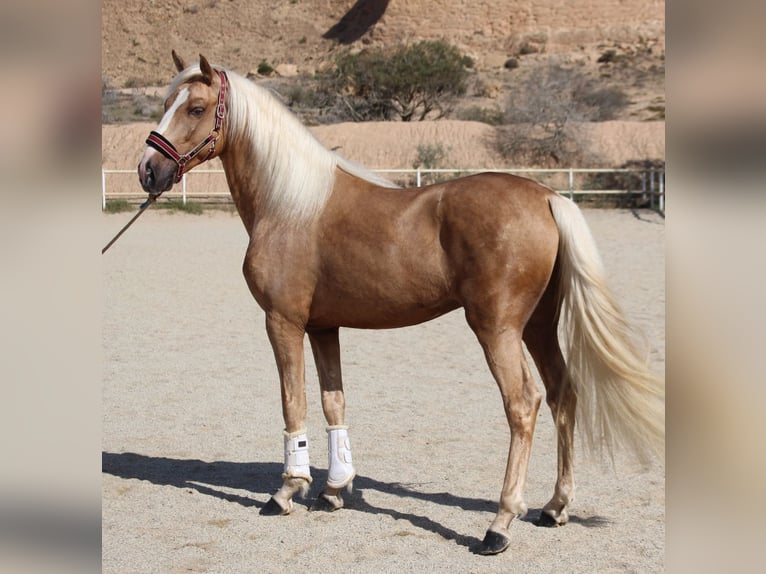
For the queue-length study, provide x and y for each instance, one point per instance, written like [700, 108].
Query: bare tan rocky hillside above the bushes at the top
[137, 36]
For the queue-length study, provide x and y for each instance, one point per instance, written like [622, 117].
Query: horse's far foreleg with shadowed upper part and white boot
[326, 348]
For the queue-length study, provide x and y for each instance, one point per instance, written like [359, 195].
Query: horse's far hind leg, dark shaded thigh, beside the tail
[542, 342]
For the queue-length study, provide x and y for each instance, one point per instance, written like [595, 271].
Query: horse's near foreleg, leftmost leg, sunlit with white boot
[287, 342]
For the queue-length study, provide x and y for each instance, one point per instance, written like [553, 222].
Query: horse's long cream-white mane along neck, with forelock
[292, 169]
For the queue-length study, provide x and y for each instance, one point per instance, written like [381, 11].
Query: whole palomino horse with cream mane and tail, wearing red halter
[332, 245]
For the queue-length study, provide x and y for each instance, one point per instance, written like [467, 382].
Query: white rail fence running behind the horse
[648, 185]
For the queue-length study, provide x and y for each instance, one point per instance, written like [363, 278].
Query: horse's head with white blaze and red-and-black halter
[192, 124]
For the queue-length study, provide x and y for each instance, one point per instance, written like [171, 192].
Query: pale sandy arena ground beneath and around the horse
[192, 444]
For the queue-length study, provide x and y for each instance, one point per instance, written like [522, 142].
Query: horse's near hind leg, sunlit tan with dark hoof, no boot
[521, 400]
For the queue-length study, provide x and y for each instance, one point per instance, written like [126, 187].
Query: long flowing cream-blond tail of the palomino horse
[620, 402]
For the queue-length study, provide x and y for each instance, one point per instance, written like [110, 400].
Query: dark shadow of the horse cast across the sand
[215, 478]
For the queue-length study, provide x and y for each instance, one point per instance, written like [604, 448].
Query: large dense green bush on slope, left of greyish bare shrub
[411, 81]
